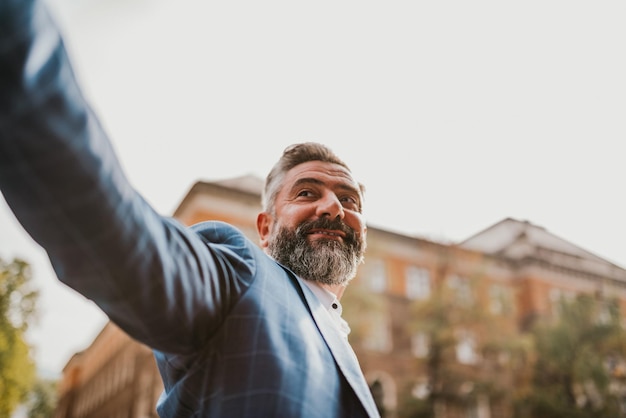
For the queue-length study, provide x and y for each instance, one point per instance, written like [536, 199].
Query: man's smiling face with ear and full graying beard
[317, 230]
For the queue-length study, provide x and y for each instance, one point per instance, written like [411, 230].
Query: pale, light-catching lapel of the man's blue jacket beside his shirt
[341, 350]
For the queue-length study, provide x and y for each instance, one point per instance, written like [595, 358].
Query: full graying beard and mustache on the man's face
[325, 261]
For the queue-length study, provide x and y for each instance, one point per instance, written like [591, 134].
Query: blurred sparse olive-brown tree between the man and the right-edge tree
[472, 352]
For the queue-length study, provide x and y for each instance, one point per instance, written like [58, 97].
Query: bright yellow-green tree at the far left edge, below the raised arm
[17, 308]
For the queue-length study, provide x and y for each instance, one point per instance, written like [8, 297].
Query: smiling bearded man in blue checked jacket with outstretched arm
[235, 333]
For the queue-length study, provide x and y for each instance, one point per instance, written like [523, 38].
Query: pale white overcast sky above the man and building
[454, 114]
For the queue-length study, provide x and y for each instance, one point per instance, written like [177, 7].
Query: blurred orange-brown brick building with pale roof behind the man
[514, 269]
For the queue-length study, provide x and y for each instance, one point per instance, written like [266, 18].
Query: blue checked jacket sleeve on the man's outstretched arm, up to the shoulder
[59, 174]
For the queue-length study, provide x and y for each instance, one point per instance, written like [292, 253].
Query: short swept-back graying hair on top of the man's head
[294, 155]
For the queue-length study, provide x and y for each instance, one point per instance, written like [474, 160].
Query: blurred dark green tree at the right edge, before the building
[581, 362]
